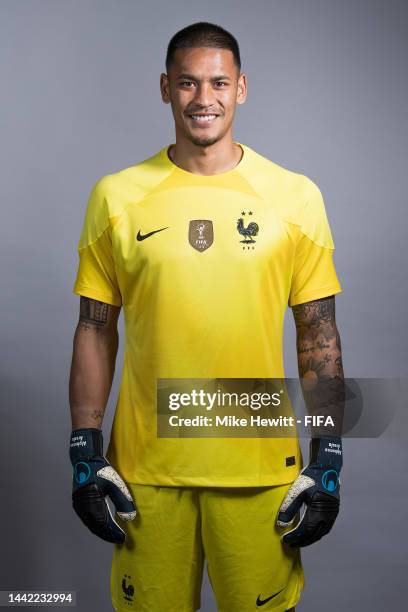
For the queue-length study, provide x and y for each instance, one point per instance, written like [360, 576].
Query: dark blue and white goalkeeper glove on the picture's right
[318, 487]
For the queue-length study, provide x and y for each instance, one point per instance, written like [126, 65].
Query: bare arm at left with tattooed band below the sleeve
[95, 349]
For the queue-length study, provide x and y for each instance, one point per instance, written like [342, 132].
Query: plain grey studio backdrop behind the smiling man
[80, 98]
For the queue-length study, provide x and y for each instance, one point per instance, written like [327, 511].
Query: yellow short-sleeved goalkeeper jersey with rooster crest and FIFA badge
[204, 268]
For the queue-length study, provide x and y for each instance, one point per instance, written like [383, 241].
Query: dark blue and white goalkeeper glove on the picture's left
[93, 479]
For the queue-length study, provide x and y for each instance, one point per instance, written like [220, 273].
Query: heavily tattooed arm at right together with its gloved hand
[321, 376]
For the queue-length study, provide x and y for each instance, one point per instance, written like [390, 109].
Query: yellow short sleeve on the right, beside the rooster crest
[314, 274]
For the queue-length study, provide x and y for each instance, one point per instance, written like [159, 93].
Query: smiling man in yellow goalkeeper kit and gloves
[204, 245]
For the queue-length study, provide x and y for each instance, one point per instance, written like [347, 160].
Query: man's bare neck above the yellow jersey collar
[220, 157]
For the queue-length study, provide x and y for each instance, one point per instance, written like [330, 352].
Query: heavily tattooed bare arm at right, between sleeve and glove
[319, 361]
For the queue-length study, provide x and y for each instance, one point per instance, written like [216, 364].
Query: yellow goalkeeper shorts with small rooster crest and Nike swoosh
[160, 566]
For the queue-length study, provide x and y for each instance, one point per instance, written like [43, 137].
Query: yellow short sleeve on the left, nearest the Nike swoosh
[96, 276]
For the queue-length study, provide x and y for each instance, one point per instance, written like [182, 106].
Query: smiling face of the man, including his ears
[203, 87]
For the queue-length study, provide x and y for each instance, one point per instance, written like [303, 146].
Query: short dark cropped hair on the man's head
[203, 34]
